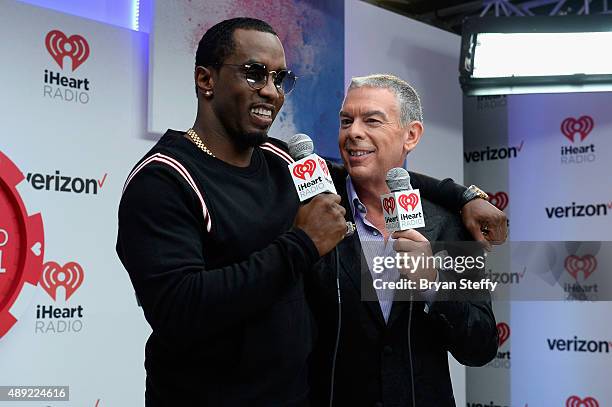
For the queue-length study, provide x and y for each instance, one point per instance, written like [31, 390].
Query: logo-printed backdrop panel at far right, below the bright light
[558, 151]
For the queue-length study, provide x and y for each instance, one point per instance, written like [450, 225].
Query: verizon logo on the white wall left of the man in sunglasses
[62, 183]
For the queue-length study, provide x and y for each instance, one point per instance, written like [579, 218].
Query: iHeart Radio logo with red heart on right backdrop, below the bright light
[576, 130]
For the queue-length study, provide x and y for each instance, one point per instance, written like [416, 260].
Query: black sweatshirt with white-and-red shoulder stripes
[218, 269]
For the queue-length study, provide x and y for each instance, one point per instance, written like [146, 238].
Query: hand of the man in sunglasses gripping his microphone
[323, 221]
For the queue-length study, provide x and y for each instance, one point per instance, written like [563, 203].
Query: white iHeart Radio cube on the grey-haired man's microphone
[403, 210]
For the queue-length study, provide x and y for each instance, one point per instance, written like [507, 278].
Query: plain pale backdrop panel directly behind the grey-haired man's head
[378, 41]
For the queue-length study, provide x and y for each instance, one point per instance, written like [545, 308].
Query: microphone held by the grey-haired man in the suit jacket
[402, 207]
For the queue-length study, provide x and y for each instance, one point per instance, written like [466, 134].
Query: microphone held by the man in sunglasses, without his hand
[310, 173]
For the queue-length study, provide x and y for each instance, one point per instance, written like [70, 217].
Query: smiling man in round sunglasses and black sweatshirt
[215, 242]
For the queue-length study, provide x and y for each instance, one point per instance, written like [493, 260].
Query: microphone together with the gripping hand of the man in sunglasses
[322, 217]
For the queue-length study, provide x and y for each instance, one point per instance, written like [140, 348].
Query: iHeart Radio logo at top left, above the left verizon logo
[73, 49]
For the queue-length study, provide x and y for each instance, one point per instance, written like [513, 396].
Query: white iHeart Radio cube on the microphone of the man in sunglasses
[311, 177]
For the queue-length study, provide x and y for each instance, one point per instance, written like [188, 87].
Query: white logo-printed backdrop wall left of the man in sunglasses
[99, 141]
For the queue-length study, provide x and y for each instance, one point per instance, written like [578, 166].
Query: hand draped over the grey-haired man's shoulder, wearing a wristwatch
[485, 222]
